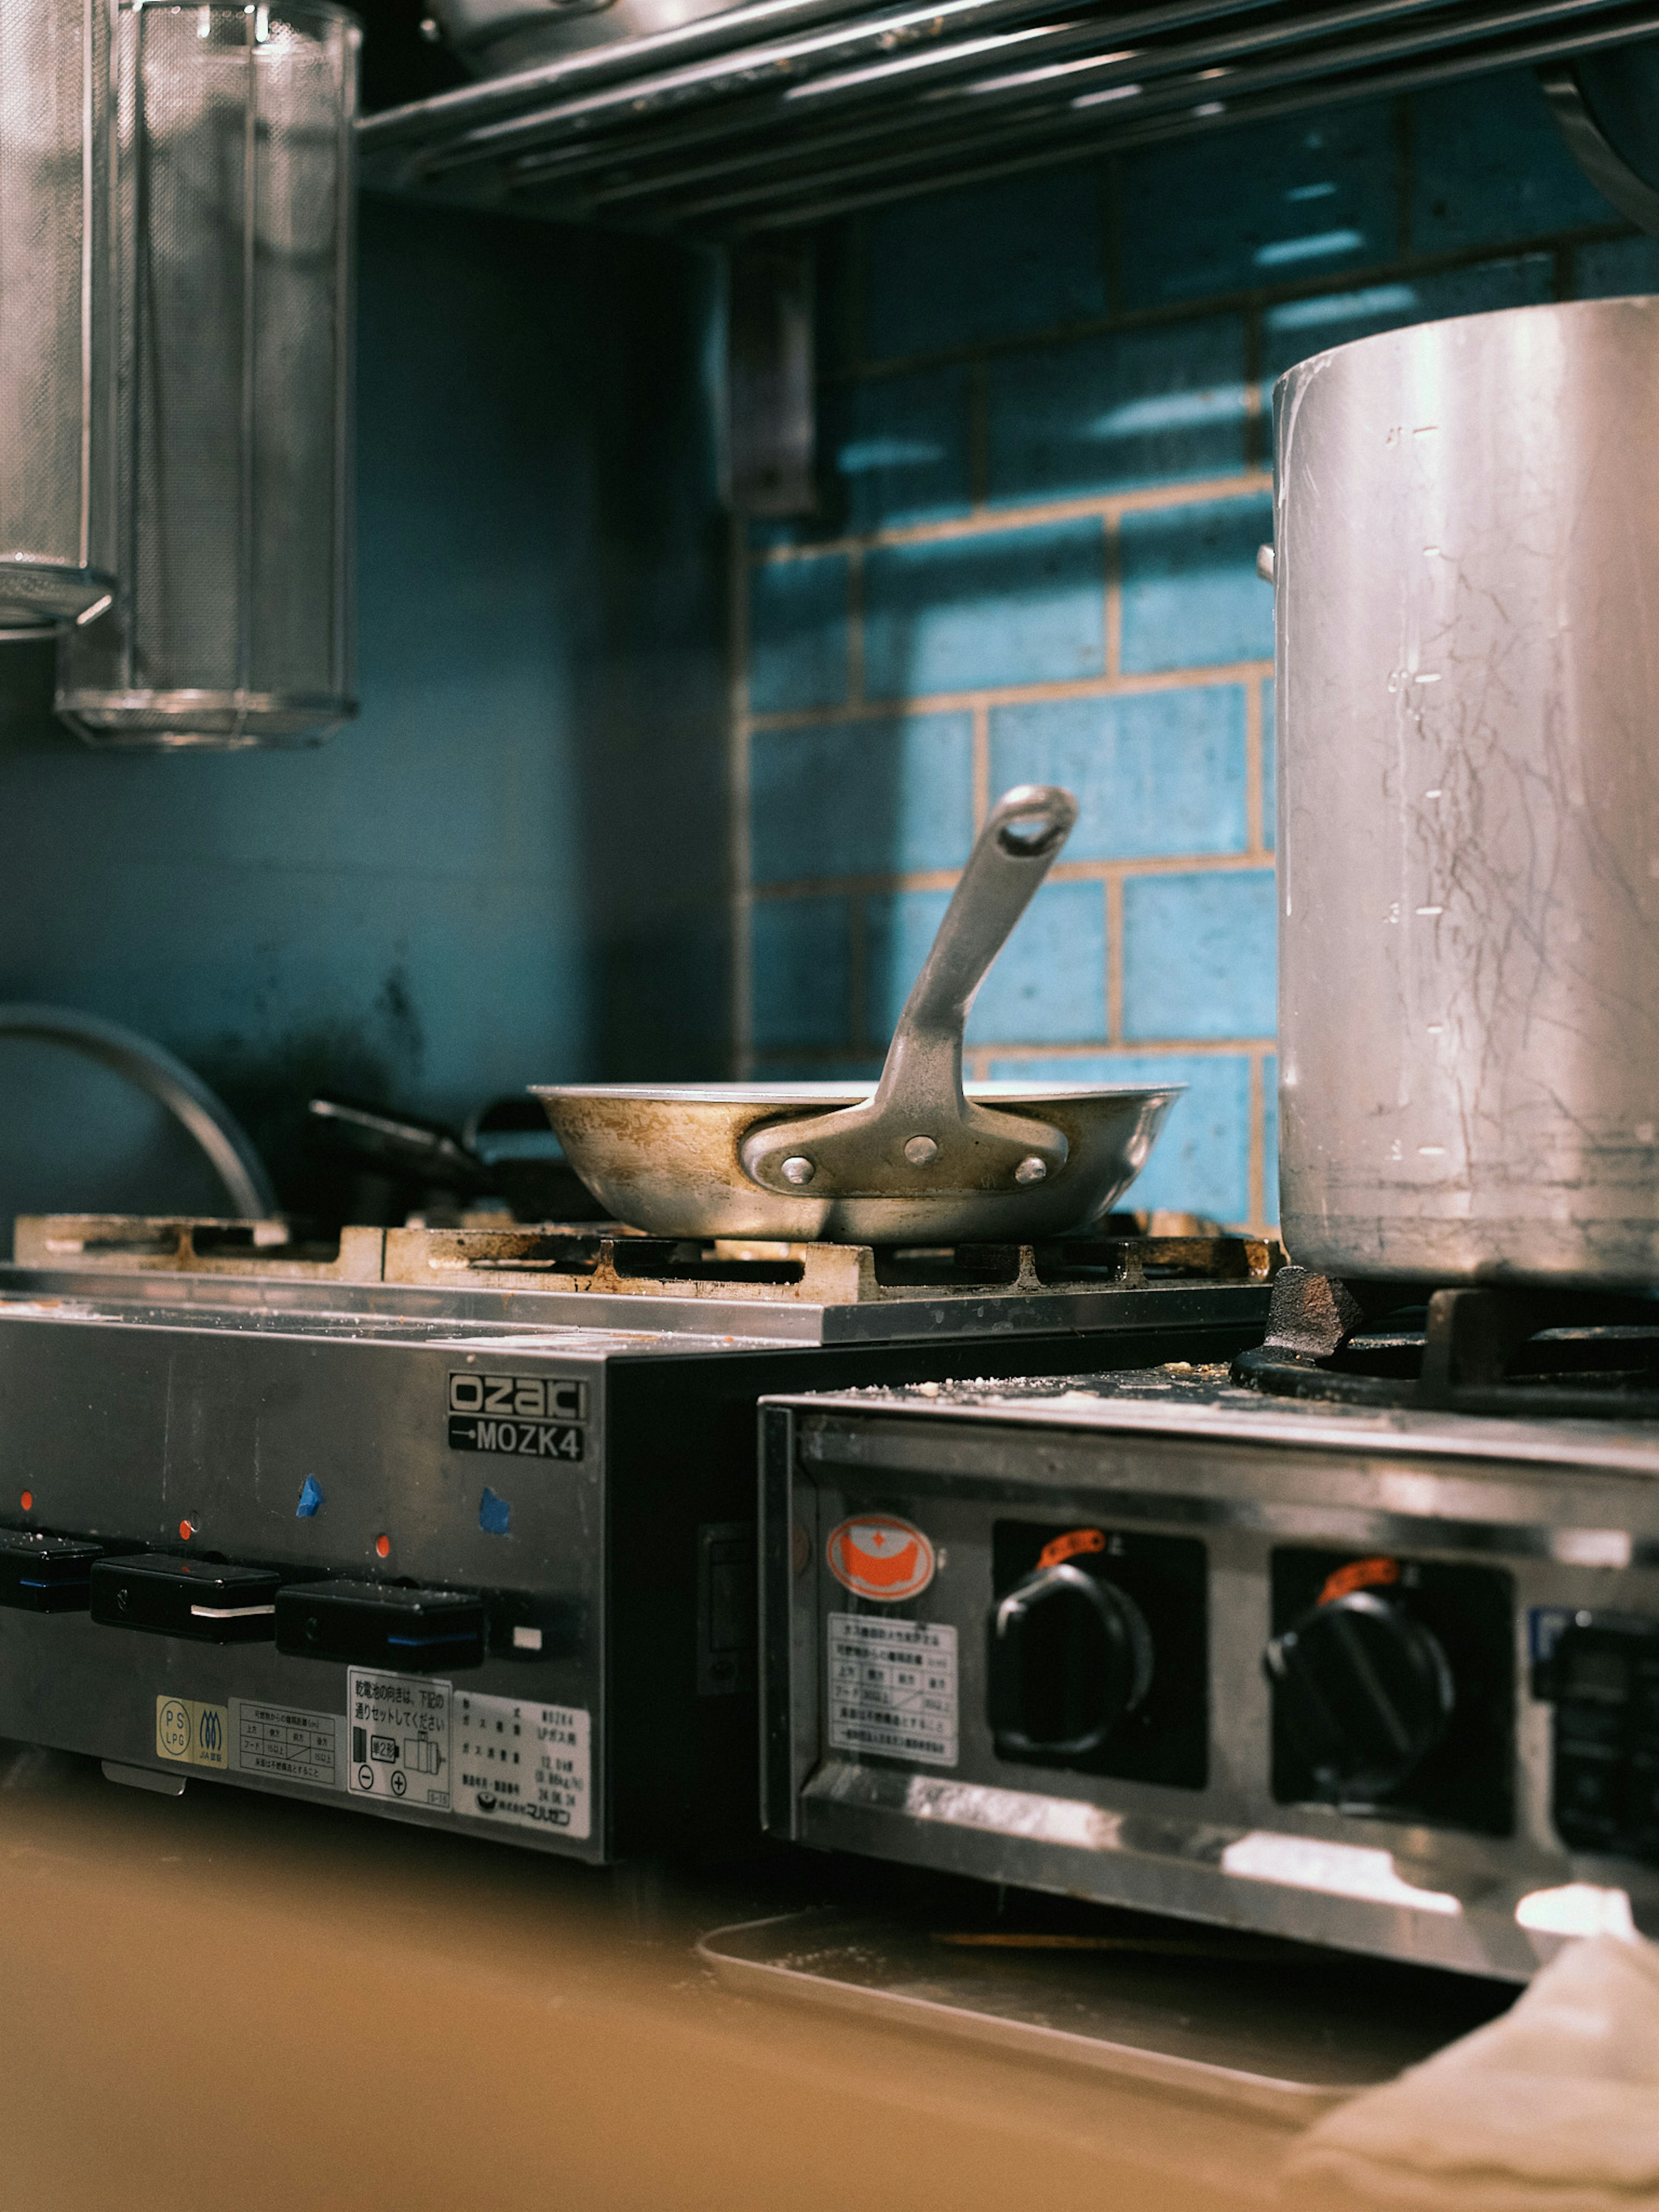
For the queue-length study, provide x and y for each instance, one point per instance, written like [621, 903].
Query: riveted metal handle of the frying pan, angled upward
[921, 1134]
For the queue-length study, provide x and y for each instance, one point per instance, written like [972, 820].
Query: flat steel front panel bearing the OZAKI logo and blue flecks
[322, 1452]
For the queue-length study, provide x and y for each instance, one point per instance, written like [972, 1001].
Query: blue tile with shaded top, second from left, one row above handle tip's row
[963, 614]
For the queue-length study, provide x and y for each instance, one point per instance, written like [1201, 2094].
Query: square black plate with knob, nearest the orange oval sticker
[1098, 1651]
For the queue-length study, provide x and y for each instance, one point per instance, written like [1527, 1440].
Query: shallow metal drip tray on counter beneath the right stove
[1275, 2027]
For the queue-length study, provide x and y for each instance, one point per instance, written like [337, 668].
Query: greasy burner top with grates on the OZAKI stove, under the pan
[647, 1286]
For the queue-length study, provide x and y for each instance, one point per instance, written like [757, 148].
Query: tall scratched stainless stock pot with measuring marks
[1468, 643]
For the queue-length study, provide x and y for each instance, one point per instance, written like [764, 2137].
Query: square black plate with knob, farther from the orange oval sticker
[1392, 1687]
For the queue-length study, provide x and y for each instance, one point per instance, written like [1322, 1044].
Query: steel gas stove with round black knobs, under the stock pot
[1361, 1669]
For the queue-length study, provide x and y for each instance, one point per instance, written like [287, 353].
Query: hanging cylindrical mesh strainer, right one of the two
[233, 393]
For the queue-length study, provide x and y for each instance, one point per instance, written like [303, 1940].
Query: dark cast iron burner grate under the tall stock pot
[1481, 1350]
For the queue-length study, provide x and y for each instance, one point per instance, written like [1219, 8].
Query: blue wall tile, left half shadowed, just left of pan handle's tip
[862, 797]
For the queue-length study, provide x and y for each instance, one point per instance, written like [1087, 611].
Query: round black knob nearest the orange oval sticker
[1070, 1660]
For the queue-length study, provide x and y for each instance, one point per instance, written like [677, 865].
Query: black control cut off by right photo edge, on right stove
[1605, 1678]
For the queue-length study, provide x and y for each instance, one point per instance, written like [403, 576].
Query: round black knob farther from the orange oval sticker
[1364, 1691]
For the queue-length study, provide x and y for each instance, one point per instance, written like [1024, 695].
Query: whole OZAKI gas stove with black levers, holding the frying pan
[457, 1525]
